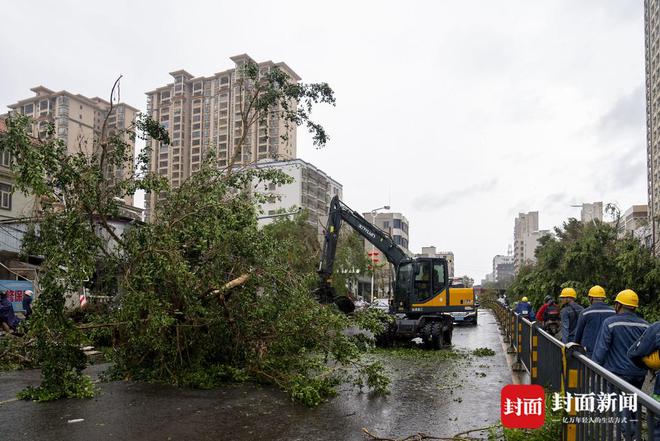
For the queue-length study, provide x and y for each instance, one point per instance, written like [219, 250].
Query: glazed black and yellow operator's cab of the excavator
[422, 281]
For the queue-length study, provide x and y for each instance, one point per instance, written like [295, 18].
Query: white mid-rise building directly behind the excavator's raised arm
[311, 189]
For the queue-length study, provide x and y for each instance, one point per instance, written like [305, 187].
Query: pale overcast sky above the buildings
[460, 114]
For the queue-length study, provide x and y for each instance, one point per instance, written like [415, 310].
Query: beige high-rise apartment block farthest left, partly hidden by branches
[78, 121]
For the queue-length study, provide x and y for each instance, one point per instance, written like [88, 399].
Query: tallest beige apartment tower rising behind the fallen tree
[203, 113]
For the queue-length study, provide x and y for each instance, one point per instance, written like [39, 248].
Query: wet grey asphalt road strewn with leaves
[434, 396]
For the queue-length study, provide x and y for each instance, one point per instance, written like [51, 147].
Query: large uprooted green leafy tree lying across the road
[202, 294]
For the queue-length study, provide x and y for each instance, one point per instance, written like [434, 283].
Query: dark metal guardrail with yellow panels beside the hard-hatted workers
[566, 369]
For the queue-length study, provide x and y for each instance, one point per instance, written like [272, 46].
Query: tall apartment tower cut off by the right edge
[652, 52]
